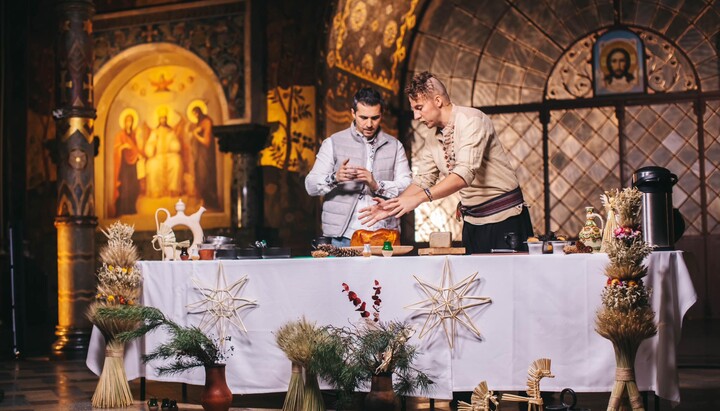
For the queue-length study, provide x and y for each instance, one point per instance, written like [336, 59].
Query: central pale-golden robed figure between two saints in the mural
[164, 159]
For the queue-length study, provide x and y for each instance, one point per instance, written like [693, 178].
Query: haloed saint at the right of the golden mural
[203, 148]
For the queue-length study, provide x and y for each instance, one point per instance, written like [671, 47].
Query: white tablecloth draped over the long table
[542, 306]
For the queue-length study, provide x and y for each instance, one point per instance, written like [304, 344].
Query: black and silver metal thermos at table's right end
[656, 184]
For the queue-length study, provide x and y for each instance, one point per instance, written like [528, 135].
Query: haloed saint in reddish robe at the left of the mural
[125, 159]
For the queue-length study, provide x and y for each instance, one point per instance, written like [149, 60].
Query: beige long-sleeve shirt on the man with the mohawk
[480, 160]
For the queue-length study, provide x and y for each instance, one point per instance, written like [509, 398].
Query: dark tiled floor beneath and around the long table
[39, 384]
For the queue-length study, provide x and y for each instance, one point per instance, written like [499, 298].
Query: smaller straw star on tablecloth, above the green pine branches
[220, 304]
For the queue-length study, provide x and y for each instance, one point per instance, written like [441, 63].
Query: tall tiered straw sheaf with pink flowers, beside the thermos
[626, 317]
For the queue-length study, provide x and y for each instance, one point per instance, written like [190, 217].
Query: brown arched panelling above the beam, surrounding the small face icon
[491, 52]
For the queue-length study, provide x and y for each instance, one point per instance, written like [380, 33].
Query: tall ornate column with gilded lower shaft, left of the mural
[75, 220]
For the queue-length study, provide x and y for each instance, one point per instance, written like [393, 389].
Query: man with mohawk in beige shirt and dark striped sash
[465, 156]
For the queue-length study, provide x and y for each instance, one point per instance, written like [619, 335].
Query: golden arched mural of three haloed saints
[160, 145]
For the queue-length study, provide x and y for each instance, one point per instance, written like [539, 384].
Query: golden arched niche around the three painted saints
[151, 79]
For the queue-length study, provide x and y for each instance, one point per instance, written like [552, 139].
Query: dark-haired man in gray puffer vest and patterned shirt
[353, 166]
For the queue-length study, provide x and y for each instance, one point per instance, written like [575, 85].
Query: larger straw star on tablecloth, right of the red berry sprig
[446, 305]
